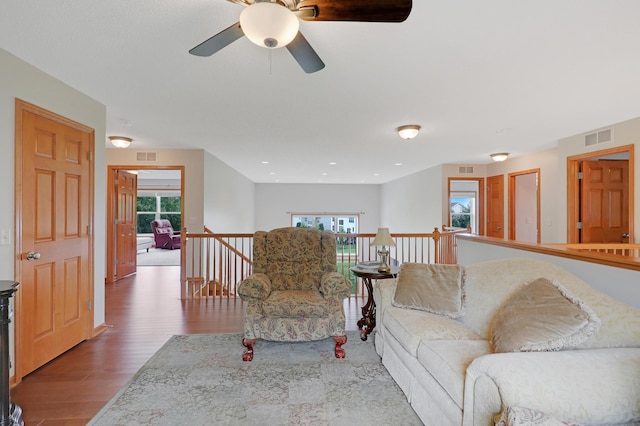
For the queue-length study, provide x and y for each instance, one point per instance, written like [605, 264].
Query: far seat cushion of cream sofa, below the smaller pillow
[410, 326]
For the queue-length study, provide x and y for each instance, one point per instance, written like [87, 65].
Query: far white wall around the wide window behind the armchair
[274, 203]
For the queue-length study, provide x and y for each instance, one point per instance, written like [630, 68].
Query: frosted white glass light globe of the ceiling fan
[269, 25]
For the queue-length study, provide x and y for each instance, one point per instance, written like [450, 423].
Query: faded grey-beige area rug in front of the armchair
[202, 380]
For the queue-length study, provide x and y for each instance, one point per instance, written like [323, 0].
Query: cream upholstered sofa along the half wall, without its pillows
[451, 375]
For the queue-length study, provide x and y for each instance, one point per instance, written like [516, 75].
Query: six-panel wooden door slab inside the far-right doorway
[605, 201]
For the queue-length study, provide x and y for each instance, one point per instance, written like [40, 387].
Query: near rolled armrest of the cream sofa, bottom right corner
[595, 386]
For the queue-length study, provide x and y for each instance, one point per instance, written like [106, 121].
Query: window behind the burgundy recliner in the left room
[154, 205]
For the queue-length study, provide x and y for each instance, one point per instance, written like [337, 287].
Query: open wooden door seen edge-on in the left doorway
[126, 185]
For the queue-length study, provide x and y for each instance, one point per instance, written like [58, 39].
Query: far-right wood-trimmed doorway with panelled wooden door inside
[600, 196]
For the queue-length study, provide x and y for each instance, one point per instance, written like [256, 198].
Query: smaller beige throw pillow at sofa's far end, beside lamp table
[438, 289]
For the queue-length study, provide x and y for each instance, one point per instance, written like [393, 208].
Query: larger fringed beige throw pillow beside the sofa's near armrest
[542, 316]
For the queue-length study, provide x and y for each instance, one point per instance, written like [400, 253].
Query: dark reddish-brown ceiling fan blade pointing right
[358, 10]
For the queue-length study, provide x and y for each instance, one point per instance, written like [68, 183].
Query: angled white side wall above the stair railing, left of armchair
[228, 198]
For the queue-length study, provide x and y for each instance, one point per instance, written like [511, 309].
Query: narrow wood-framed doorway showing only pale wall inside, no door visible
[524, 206]
